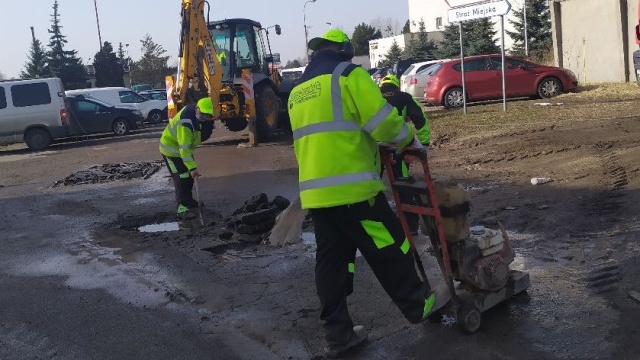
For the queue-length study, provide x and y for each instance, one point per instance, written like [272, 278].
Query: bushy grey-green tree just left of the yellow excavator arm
[152, 67]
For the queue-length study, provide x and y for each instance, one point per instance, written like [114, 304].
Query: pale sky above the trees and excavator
[127, 21]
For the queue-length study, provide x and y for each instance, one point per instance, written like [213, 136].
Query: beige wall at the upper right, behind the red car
[595, 38]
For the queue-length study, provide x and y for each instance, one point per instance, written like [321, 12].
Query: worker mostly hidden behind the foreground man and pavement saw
[412, 112]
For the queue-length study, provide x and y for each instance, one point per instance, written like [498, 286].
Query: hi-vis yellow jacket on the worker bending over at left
[181, 136]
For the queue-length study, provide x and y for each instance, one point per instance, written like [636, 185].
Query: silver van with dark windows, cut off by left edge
[32, 111]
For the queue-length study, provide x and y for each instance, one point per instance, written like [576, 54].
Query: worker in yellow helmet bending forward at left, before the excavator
[185, 131]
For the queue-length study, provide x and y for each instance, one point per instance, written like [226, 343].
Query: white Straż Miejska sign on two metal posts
[464, 10]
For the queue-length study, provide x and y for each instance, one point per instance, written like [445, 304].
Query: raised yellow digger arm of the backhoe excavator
[198, 61]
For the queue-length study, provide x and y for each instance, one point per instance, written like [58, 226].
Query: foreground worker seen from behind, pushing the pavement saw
[338, 117]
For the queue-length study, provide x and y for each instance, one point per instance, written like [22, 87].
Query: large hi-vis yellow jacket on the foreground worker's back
[338, 116]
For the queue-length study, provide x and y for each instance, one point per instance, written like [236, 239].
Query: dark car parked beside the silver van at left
[91, 116]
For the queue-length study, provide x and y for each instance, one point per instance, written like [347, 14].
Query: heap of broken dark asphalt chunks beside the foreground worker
[256, 216]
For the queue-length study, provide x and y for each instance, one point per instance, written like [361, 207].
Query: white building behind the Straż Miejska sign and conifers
[434, 15]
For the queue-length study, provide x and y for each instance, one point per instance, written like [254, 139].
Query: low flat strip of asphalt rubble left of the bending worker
[111, 172]
